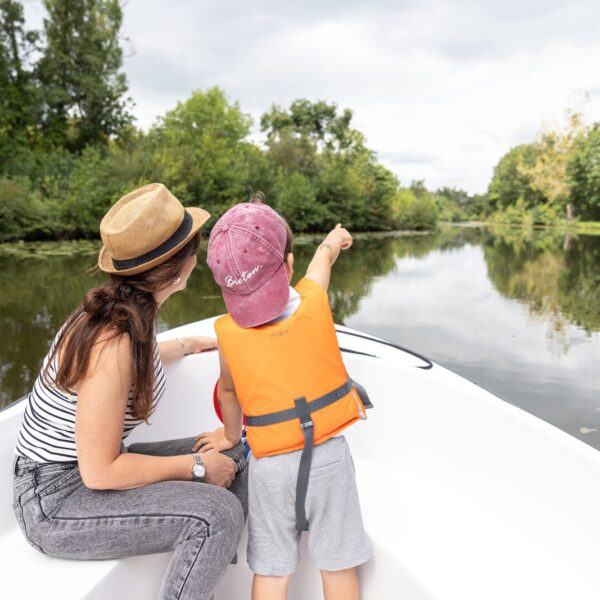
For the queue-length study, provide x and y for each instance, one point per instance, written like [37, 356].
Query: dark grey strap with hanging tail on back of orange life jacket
[303, 411]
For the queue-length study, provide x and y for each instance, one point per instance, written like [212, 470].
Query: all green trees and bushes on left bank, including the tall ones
[69, 146]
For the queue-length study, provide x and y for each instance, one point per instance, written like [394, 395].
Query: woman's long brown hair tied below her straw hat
[124, 304]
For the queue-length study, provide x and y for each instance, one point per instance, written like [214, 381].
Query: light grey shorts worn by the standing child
[336, 538]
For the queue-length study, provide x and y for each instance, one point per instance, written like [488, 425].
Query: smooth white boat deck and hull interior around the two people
[464, 496]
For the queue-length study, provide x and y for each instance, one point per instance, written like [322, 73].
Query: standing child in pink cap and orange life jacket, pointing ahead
[282, 368]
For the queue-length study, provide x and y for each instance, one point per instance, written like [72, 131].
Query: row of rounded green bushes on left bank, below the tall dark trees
[201, 151]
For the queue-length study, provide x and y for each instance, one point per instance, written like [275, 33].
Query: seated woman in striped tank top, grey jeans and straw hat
[78, 492]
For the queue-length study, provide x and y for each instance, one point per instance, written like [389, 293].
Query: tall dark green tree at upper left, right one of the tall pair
[80, 71]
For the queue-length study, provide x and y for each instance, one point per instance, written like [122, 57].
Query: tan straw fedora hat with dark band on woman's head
[145, 228]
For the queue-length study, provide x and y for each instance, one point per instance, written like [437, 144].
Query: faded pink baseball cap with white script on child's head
[246, 255]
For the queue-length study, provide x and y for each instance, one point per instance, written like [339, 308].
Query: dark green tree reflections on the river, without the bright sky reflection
[557, 276]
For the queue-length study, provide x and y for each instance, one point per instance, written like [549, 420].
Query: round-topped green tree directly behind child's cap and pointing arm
[341, 178]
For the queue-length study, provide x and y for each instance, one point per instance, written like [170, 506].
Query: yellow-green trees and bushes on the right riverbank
[553, 181]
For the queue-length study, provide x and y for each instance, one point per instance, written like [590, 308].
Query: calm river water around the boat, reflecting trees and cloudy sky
[515, 311]
